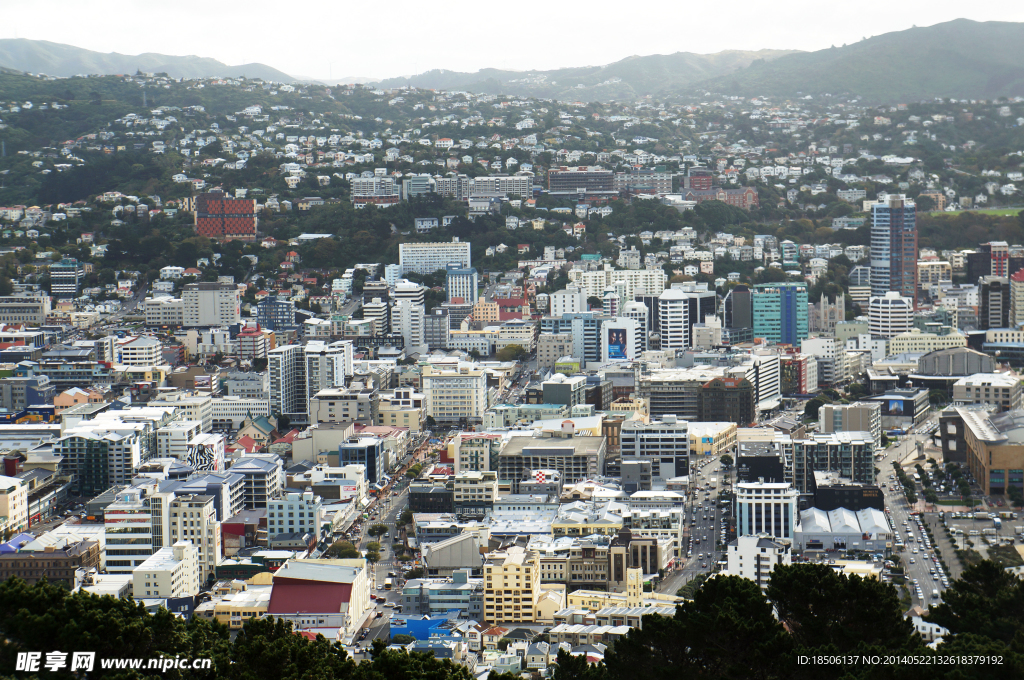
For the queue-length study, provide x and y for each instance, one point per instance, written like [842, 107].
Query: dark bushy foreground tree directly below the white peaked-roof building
[825, 610]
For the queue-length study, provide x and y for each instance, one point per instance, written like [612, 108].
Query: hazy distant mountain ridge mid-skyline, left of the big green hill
[630, 78]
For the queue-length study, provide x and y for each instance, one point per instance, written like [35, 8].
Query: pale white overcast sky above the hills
[322, 39]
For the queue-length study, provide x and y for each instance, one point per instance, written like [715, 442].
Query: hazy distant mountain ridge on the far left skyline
[41, 57]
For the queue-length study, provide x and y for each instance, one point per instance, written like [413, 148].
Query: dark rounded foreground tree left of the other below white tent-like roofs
[728, 631]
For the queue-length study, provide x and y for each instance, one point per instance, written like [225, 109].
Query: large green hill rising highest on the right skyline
[960, 59]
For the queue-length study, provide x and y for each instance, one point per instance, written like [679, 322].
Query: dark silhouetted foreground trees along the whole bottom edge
[810, 623]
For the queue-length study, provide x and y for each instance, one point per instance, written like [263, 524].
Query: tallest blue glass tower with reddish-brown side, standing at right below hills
[894, 247]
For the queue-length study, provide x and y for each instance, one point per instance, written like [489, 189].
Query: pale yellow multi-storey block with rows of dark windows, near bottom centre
[511, 586]
